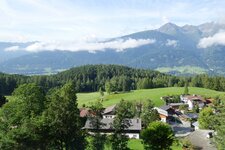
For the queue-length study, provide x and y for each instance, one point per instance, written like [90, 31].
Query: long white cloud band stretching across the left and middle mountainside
[118, 45]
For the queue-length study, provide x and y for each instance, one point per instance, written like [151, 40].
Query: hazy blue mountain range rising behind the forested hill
[179, 50]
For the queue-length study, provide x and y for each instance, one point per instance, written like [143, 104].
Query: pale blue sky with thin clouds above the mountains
[68, 20]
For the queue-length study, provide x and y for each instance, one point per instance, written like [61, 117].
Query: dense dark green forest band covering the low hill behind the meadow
[110, 78]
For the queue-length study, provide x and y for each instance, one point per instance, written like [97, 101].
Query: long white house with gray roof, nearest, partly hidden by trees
[133, 131]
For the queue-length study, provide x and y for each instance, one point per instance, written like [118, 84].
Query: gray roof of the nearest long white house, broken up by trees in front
[135, 124]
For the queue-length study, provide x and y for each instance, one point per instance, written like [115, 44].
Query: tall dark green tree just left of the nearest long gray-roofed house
[62, 117]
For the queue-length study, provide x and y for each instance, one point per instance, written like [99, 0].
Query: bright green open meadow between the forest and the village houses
[141, 95]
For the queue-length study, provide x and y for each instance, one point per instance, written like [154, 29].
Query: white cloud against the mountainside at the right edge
[216, 39]
